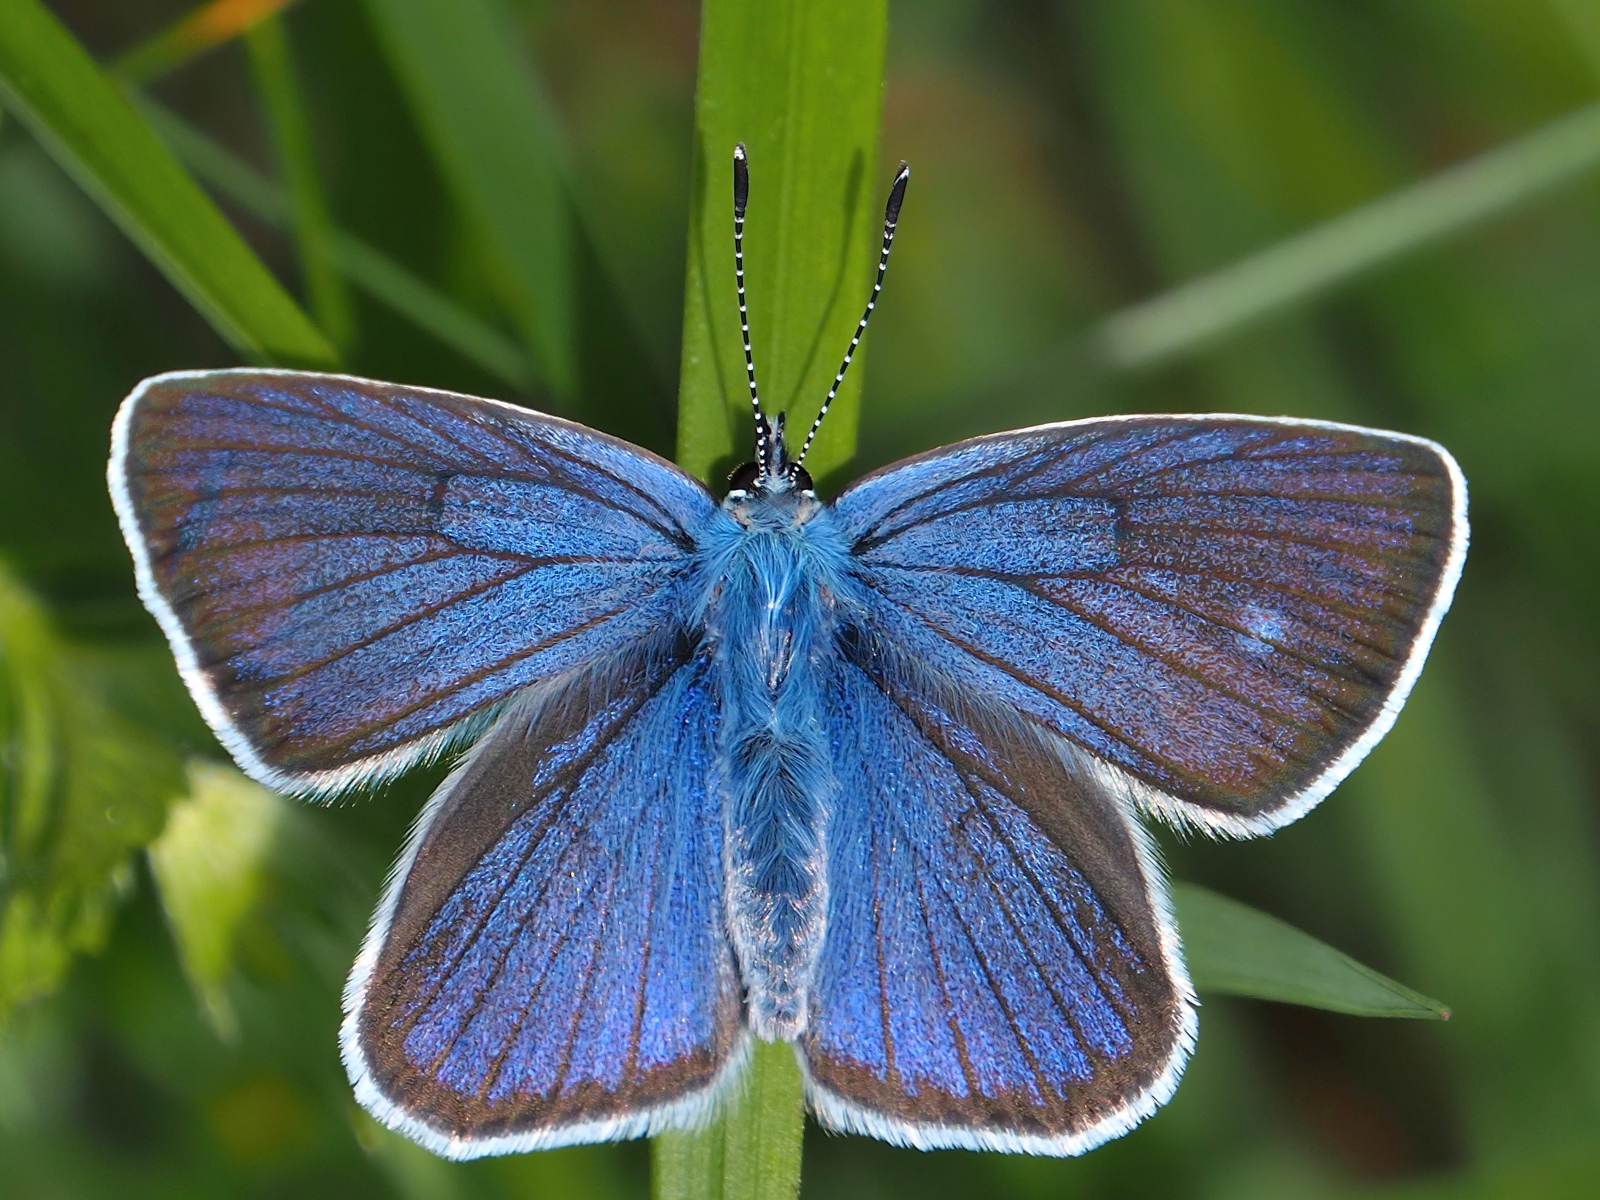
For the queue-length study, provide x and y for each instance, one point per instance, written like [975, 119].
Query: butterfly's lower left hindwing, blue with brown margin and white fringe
[550, 964]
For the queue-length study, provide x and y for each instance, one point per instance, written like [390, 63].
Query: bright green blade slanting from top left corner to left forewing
[87, 124]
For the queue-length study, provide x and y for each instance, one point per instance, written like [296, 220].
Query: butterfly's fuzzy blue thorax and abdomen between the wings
[772, 585]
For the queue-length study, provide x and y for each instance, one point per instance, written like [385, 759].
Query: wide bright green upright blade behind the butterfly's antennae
[802, 87]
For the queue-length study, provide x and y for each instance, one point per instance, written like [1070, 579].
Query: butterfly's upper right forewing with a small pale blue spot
[1226, 612]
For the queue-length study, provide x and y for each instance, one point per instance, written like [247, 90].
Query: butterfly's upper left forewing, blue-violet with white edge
[350, 570]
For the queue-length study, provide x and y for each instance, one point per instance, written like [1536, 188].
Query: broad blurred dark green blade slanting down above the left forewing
[495, 142]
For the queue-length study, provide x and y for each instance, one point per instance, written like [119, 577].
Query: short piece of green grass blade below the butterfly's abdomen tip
[753, 1153]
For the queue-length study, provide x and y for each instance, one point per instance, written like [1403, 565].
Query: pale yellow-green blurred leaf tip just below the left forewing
[212, 866]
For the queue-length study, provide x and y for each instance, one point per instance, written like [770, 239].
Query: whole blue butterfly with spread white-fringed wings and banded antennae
[865, 777]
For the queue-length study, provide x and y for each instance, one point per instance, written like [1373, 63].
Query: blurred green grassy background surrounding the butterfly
[1073, 162]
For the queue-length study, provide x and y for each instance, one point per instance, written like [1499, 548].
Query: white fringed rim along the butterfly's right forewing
[1180, 814]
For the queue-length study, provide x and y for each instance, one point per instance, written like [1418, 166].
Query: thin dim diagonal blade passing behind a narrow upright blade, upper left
[369, 270]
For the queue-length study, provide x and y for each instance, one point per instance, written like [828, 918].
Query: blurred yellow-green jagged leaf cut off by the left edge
[81, 788]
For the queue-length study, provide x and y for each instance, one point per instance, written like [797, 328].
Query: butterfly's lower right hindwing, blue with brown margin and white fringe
[999, 969]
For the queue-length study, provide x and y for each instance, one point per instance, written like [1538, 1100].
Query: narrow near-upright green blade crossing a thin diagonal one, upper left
[290, 127]
